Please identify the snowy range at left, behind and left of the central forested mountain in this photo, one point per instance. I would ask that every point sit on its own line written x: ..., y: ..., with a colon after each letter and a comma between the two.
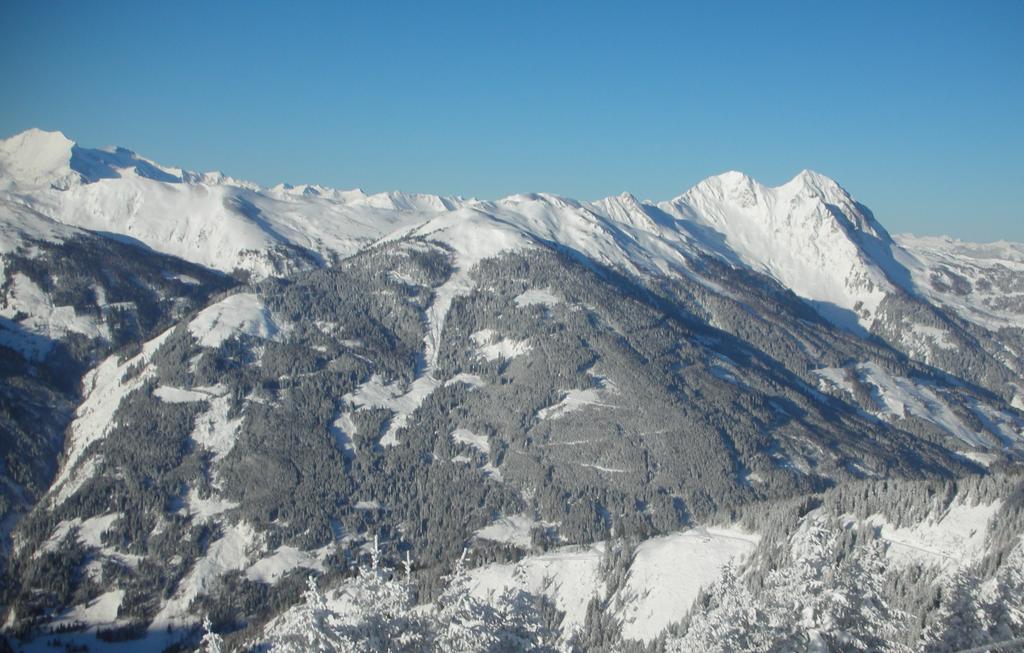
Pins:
x: 206, y: 219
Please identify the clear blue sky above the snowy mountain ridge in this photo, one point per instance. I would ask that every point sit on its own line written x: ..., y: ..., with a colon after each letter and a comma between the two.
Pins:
x: 918, y: 109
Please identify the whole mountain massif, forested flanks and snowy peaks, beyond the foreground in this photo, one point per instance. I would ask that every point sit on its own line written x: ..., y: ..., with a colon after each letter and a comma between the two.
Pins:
x: 251, y: 385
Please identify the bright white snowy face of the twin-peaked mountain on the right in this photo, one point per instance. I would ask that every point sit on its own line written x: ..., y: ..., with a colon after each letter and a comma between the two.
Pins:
x: 809, y: 235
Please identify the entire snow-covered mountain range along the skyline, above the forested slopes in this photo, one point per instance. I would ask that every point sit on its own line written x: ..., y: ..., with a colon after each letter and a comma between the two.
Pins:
x: 809, y: 236
